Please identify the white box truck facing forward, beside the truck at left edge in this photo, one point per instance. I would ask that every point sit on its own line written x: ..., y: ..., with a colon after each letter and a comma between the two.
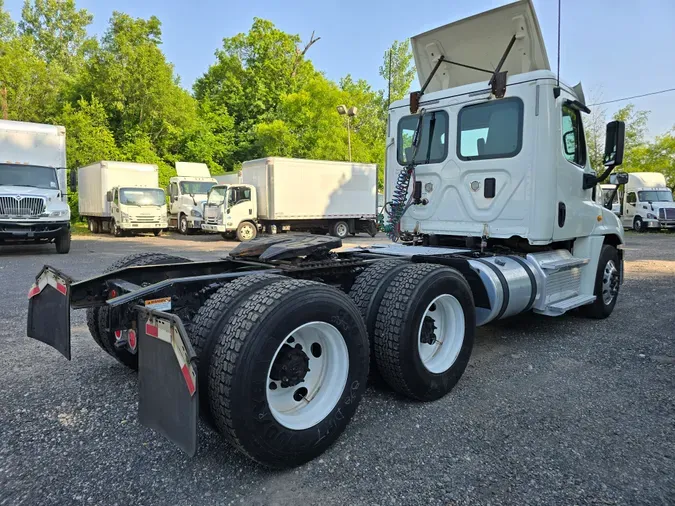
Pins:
x: 122, y: 198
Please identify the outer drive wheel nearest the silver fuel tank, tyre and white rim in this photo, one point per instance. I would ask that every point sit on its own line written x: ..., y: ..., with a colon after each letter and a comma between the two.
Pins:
x: 424, y: 331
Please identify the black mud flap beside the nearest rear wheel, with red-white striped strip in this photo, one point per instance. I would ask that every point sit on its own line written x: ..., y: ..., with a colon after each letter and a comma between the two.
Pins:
x: 167, y: 379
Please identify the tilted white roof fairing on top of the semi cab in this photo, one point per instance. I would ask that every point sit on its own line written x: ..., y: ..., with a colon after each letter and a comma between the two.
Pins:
x: 480, y: 41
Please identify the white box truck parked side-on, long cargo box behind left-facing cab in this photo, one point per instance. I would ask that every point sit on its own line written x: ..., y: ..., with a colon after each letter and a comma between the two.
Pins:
x: 283, y: 194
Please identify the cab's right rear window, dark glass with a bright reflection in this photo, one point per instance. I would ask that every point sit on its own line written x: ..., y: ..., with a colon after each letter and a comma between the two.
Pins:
x: 490, y: 130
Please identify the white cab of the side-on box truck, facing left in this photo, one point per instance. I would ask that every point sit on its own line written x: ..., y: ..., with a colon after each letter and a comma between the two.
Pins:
x: 230, y: 210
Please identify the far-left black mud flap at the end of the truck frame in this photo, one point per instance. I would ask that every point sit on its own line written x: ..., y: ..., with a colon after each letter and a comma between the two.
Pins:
x: 49, y: 310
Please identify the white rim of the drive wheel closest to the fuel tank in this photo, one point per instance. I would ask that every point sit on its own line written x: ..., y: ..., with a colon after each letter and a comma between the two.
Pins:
x: 441, y: 334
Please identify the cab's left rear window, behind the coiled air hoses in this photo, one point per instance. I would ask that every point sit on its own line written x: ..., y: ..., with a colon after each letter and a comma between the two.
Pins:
x: 433, y: 144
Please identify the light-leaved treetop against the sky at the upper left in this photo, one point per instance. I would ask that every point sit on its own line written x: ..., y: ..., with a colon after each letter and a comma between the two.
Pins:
x: 59, y: 30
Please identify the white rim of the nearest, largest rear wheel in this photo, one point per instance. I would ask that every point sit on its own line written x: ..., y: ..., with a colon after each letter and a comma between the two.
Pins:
x: 304, y: 389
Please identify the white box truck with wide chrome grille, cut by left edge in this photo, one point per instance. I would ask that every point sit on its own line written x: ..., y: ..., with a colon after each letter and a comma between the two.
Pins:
x: 33, y: 193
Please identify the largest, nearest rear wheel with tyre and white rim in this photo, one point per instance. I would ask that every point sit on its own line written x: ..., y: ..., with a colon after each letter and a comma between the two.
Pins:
x: 288, y: 371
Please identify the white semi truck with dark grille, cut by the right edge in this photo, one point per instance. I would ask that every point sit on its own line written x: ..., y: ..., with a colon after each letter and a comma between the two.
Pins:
x: 647, y: 202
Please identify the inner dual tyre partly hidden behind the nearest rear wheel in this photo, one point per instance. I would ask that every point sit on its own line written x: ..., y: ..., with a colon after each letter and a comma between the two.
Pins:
x: 209, y: 321
